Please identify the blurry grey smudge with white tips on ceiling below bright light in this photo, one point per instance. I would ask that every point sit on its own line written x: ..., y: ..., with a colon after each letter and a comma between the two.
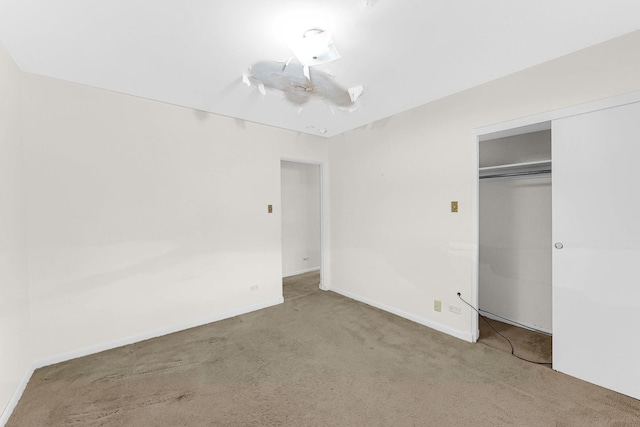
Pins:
x: 300, y: 83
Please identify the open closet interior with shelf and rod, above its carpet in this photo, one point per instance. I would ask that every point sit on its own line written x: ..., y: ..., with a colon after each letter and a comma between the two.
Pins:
x: 515, y: 246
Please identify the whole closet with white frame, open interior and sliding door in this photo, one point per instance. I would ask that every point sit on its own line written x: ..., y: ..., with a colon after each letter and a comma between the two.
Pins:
x: 594, y: 244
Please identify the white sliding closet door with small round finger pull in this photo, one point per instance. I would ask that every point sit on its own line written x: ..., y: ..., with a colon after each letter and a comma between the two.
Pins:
x: 596, y: 273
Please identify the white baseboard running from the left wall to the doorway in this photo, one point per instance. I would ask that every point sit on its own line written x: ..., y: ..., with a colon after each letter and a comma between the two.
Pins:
x: 4, y: 417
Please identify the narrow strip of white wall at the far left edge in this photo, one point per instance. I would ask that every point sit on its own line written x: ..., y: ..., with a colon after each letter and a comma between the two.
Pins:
x: 15, y: 356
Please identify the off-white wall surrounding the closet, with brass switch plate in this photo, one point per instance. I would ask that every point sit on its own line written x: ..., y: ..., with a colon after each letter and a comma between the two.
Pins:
x: 394, y: 241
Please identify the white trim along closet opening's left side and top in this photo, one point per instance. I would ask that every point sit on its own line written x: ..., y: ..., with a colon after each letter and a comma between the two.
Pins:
x: 519, y: 126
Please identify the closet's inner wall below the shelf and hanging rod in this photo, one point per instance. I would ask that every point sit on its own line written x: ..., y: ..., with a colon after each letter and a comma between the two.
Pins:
x: 515, y: 249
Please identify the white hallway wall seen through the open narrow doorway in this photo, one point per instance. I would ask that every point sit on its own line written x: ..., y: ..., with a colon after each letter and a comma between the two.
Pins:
x: 300, y: 218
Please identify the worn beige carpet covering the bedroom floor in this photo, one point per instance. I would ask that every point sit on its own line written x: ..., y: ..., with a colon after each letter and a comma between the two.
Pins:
x: 319, y: 359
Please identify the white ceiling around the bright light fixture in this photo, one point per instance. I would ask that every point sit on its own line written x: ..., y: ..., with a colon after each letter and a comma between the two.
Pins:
x: 404, y: 52
